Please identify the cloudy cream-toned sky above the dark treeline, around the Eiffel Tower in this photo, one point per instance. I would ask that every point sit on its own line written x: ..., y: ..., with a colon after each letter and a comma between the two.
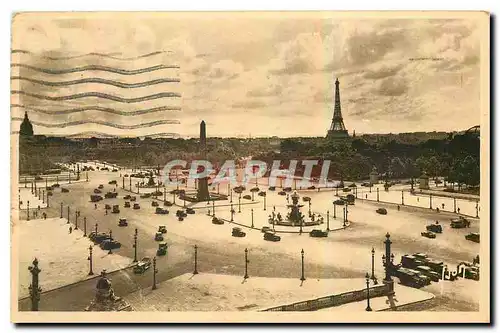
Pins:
x: 253, y: 74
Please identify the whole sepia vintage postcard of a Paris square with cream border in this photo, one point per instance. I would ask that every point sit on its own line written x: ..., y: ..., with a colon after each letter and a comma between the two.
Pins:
x: 250, y: 167
